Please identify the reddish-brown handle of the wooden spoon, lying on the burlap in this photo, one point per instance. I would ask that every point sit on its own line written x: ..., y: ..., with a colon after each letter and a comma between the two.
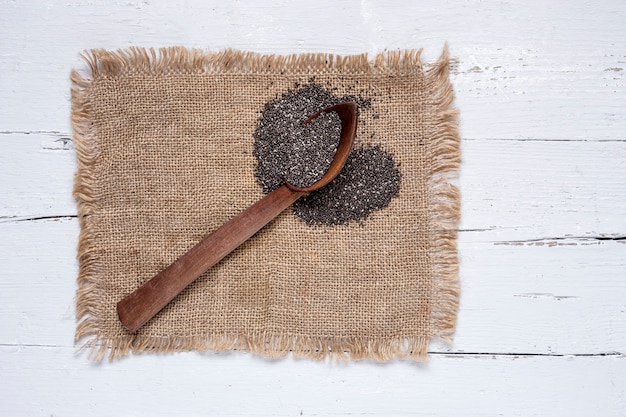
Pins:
x: 145, y: 302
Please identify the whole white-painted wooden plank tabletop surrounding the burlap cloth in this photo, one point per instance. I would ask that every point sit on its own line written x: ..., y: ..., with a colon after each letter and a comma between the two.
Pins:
x: 542, y: 324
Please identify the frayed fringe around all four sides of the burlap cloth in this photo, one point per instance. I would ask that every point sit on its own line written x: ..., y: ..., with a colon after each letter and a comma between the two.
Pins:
x: 443, y: 197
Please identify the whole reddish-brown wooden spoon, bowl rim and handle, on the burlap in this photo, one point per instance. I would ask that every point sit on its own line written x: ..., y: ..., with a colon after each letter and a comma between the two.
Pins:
x: 145, y: 302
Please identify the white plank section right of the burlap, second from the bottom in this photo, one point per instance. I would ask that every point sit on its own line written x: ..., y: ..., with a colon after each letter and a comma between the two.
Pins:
x: 546, y: 296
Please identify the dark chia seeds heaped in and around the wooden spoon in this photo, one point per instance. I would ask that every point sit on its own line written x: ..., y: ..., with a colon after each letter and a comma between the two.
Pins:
x: 288, y: 149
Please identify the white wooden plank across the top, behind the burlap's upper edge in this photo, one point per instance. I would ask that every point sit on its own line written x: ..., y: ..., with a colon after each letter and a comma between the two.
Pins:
x: 526, y: 69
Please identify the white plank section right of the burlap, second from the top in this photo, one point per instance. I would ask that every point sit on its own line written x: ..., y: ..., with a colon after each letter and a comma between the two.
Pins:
x: 528, y: 190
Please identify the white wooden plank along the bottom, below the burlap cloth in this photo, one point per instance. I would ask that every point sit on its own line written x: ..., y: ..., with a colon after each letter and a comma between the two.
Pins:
x: 51, y: 381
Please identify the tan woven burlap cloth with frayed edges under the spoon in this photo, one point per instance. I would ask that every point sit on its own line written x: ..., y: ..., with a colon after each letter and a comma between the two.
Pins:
x: 164, y: 144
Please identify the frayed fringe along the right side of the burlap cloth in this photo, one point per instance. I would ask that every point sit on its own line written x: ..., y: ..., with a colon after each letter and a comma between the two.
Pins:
x: 444, y: 197
